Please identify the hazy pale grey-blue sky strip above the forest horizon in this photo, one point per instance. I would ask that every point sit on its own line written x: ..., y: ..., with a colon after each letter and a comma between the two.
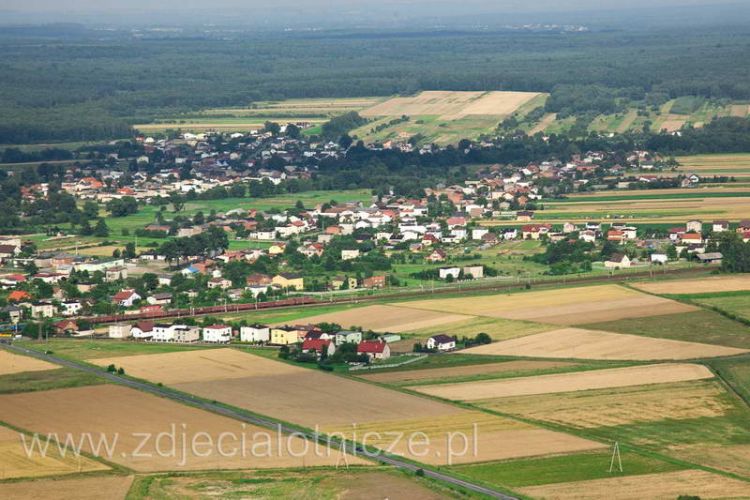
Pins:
x: 331, y: 12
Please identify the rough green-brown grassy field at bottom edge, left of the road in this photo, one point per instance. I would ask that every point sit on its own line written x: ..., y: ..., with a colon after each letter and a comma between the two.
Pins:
x: 324, y: 484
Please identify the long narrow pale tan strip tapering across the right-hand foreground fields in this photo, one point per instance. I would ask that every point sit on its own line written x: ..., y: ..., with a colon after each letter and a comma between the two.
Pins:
x: 567, y: 382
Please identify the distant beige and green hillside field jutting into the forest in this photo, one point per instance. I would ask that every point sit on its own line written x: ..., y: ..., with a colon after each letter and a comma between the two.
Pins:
x: 443, y: 117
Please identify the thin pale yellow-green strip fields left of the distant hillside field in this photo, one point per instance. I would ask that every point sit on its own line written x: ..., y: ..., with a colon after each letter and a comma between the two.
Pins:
x: 310, y: 111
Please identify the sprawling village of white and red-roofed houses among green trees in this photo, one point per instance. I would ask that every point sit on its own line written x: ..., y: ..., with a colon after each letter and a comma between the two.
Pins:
x: 338, y: 247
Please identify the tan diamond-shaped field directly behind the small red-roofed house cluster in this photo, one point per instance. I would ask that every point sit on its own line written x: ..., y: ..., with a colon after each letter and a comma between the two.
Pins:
x: 387, y: 318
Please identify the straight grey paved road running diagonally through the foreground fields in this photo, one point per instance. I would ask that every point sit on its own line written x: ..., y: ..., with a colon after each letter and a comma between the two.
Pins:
x: 350, y: 448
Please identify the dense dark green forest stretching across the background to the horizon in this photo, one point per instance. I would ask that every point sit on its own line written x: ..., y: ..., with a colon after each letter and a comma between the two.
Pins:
x: 82, y: 84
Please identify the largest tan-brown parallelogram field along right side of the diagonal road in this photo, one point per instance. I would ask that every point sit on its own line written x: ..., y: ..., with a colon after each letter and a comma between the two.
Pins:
x: 337, y: 404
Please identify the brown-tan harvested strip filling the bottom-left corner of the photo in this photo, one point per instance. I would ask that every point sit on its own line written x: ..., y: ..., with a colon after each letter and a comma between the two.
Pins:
x: 85, y: 488
